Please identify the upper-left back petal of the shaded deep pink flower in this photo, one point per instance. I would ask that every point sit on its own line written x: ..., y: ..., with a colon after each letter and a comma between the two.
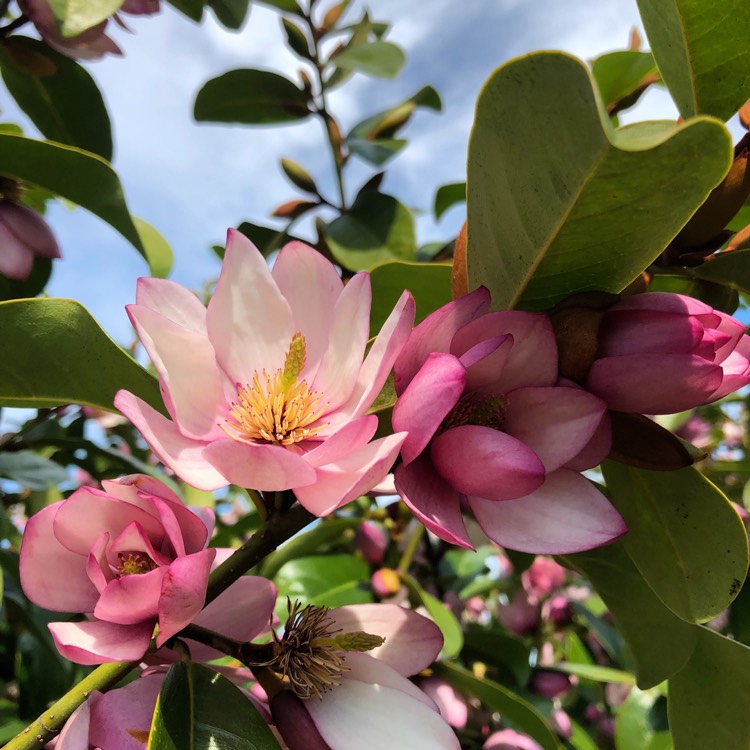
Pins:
x: 435, y: 333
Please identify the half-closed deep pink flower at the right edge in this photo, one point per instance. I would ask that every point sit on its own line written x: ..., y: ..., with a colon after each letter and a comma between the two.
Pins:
x: 661, y: 353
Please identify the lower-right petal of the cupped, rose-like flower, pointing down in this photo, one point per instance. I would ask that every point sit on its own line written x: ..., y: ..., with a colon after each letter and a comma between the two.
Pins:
x: 183, y: 593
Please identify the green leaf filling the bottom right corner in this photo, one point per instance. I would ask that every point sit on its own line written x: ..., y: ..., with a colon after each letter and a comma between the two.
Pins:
x: 708, y: 698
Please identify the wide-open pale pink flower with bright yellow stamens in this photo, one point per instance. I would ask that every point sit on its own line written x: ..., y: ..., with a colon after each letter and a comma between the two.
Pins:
x: 267, y: 388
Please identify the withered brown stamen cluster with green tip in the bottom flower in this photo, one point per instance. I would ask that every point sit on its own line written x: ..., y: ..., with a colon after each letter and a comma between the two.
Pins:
x: 309, y: 652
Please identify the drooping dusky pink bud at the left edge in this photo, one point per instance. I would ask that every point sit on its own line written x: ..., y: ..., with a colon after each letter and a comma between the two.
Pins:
x: 24, y: 234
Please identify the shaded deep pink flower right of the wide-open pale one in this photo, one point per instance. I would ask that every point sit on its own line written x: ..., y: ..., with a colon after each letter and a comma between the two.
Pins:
x: 489, y: 430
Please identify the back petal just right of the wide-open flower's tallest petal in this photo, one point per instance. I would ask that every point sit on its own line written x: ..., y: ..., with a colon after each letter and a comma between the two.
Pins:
x: 311, y: 287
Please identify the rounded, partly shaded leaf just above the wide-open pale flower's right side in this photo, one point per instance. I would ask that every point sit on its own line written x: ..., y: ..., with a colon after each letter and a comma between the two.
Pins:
x: 376, y: 229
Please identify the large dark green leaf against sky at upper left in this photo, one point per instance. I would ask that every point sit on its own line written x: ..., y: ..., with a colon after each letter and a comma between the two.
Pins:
x: 65, y: 105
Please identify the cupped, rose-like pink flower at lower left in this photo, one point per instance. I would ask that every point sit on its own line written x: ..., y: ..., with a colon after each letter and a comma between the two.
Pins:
x: 131, y: 556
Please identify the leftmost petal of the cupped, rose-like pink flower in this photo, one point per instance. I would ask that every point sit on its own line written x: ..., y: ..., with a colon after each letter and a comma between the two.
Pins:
x: 52, y: 576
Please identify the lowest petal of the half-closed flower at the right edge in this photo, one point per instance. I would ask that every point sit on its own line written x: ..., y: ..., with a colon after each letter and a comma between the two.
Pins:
x: 653, y: 383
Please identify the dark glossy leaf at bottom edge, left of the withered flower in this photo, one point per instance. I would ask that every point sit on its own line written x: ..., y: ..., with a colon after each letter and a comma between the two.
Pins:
x: 197, y: 709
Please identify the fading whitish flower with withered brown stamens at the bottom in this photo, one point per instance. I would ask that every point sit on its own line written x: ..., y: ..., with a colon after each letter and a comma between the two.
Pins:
x: 347, y: 674
